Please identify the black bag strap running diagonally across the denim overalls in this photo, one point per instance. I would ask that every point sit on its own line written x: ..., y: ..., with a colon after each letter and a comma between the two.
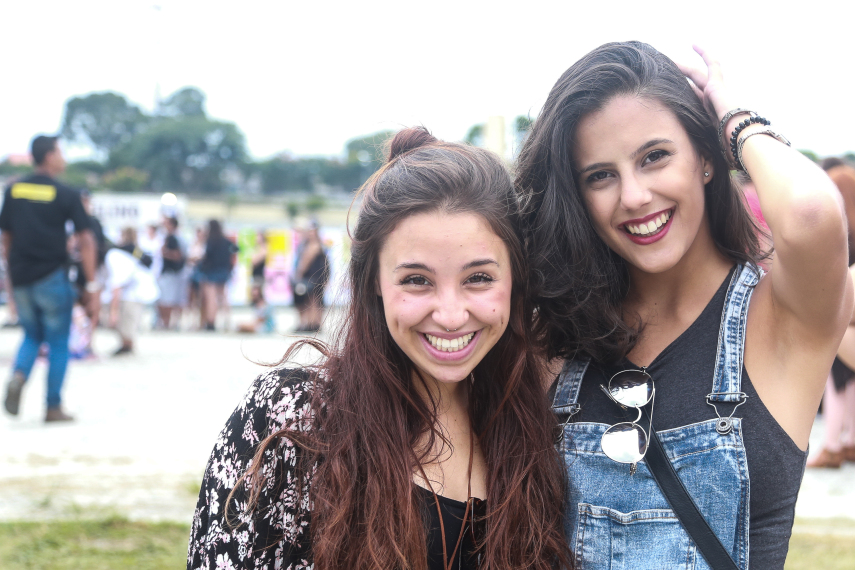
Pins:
x: 685, y: 508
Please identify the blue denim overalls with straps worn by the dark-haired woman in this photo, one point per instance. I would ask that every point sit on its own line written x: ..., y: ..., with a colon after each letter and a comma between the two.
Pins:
x: 618, y: 521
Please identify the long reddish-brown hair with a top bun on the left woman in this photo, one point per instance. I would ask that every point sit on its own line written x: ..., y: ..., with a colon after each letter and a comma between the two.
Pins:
x: 368, y: 417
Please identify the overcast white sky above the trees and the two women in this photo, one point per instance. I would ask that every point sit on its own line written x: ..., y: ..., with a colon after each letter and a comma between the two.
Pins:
x: 306, y: 76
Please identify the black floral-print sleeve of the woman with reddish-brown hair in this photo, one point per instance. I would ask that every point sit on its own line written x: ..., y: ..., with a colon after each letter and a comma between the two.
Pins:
x: 275, y: 536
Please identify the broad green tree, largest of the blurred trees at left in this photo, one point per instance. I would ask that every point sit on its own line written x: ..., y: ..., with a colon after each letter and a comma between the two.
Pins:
x: 184, y: 152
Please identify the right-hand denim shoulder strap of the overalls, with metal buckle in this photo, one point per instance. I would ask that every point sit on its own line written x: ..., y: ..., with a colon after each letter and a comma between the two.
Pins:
x: 727, y: 380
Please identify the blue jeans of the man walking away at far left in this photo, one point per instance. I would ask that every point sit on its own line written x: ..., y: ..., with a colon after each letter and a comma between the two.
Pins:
x: 44, y: 311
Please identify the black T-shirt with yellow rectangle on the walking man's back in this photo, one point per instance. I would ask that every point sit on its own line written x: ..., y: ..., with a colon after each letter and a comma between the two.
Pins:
x: 35, y: 211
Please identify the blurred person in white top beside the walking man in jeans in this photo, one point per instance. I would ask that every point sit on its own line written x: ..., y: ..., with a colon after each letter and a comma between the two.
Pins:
x: 128, y: 287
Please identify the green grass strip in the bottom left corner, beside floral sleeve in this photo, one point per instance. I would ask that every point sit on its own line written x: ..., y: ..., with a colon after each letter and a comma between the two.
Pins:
x: 104, y: 544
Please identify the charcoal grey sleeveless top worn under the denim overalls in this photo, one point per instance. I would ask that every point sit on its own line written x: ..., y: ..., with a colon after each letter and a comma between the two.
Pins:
x: 683, y: 374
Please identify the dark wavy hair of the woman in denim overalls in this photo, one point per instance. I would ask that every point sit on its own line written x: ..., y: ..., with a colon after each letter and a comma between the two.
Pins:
x: 578, y: 281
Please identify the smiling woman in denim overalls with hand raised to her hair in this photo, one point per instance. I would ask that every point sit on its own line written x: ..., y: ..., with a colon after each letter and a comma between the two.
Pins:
x: 645, y: 268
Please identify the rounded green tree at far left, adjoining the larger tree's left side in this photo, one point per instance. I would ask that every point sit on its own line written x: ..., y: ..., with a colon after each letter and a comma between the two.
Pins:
x: 102, y: 120
